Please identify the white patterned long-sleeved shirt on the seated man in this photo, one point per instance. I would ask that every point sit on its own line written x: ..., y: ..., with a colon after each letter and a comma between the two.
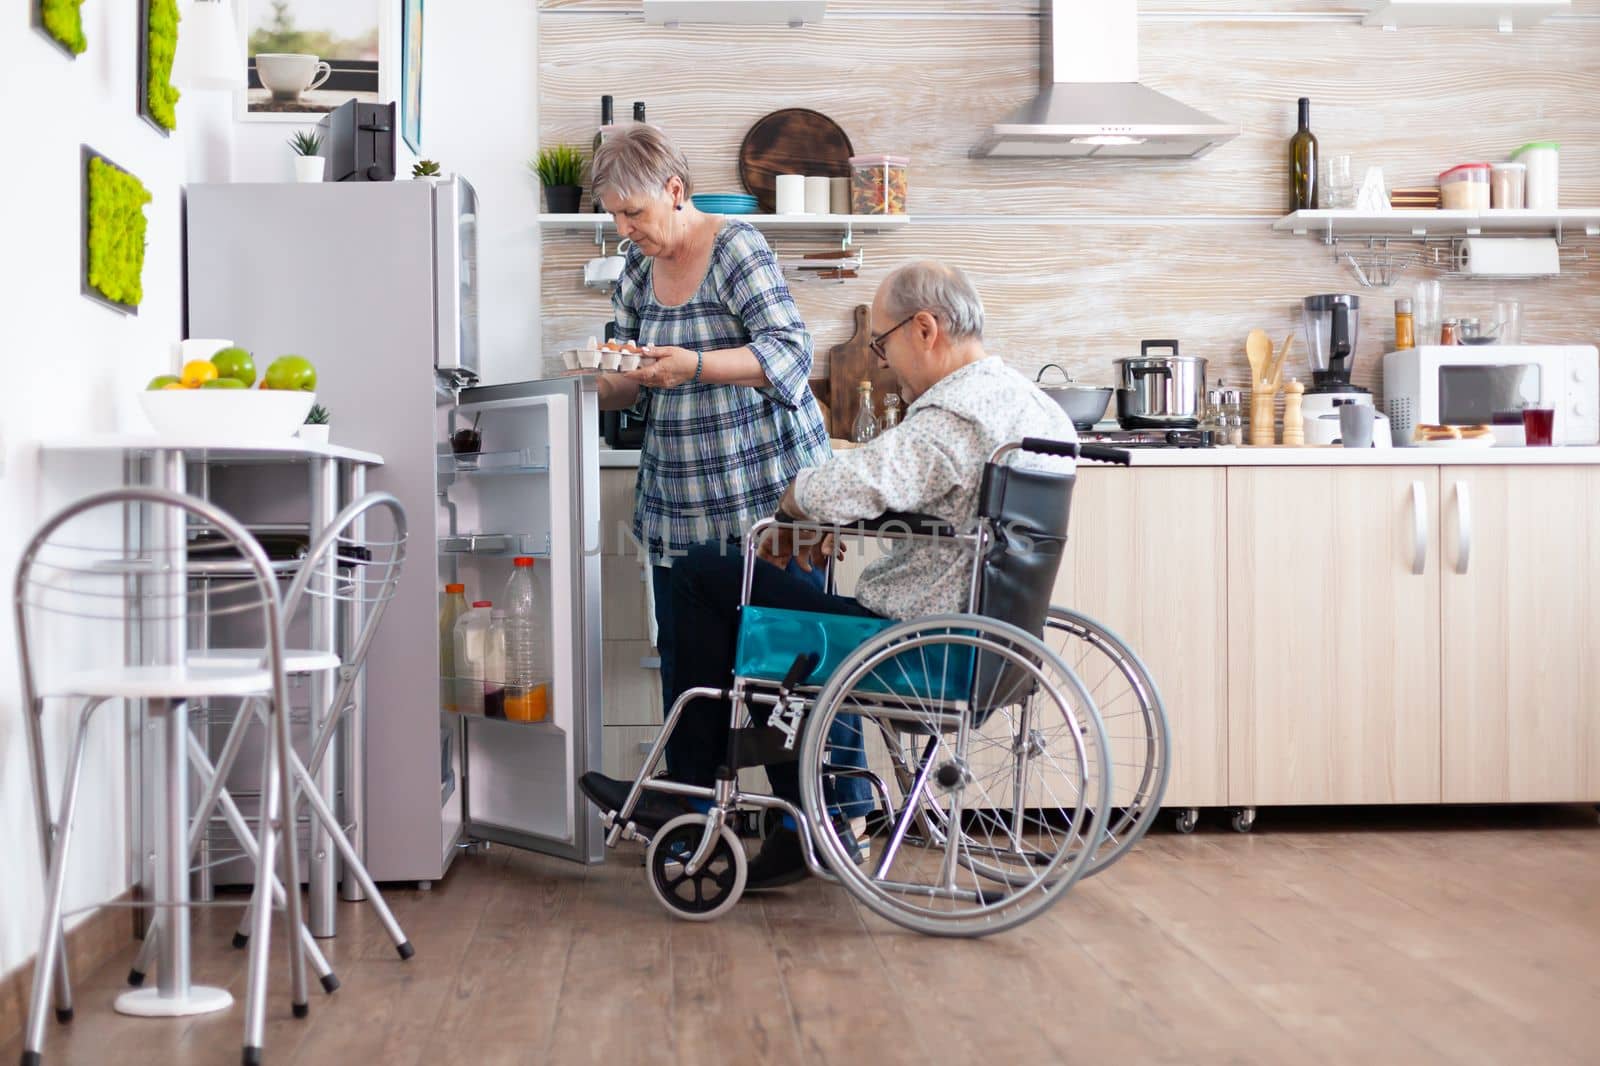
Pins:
x: 934, y: 463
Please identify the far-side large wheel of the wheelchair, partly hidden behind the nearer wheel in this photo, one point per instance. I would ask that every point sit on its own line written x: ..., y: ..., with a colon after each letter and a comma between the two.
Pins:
x: 1130, y: 707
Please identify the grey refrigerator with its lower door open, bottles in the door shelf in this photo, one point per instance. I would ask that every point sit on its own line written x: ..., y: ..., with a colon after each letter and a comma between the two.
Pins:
x: 377, y: 284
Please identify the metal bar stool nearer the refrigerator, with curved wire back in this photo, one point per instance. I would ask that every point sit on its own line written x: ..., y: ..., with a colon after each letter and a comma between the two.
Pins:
x: 354, y: 566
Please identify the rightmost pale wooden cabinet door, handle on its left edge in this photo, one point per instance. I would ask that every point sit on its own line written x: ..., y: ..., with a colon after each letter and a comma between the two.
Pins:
x: 1521, y: 614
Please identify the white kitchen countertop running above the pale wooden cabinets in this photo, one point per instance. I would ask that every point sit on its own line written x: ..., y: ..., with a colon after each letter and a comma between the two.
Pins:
x: 1308, y: 457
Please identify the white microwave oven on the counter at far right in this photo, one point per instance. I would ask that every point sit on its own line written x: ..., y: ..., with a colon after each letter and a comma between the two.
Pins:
x: 1489, y: 385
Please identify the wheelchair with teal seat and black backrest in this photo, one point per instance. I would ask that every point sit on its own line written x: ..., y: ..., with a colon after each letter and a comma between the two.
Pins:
x: 1007, y: 751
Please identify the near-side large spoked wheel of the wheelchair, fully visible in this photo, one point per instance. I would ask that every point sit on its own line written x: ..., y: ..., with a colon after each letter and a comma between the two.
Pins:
x: 1002, y: 735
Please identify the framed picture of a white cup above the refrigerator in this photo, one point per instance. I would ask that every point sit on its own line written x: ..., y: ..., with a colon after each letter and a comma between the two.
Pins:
x: 303, y: 58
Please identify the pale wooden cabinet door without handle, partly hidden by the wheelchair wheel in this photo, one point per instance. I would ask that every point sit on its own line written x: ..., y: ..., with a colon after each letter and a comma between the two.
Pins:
x: 1146, y: 558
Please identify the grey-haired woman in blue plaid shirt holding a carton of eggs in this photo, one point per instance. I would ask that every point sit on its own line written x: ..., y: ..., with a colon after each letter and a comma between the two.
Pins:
x: 729, y: 415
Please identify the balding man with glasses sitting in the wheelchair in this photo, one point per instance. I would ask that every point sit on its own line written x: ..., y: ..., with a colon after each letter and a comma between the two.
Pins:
x: 962, y: 404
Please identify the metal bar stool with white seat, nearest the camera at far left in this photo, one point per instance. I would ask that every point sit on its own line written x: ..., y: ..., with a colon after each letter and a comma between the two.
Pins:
x: 111, y: 572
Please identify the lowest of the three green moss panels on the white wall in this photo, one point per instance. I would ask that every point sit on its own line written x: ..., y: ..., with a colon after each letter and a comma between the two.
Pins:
x: 113, y: 233
